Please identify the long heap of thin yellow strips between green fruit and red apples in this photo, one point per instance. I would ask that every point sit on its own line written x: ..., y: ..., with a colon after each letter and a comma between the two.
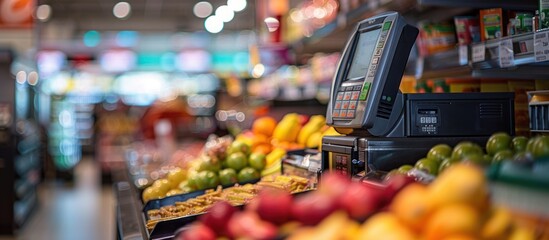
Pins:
x: 237, y: 195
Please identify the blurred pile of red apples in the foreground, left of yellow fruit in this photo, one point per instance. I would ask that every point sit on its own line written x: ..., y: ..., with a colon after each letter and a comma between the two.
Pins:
x: 275, y: 213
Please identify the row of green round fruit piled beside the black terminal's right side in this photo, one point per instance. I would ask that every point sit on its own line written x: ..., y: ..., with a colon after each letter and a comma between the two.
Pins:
x: 499, y: 147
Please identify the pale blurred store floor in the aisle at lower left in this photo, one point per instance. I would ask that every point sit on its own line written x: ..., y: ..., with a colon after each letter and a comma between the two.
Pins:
x: 83, y: 210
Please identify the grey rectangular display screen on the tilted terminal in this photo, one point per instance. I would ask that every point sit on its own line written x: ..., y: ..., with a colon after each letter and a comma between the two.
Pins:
x: 363, y: 54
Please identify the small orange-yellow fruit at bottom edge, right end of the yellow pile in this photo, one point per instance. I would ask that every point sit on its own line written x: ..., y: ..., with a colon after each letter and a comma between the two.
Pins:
x: 498, y: 224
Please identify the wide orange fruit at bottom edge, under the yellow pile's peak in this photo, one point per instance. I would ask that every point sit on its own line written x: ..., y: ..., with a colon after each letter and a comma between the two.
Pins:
x: 450, y: 220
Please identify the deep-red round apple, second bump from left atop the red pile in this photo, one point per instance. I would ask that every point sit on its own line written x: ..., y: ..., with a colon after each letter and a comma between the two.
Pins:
x: 274, y: 205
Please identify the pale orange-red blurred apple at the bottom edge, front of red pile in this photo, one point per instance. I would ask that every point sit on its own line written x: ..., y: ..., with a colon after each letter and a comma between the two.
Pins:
x: 248, y: 225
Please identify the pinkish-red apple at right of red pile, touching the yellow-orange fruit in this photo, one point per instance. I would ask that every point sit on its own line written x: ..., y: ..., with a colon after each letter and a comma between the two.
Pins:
x: 360, y: 200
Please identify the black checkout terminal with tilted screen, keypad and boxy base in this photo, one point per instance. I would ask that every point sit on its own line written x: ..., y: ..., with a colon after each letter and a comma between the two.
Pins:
x: 384, y: 128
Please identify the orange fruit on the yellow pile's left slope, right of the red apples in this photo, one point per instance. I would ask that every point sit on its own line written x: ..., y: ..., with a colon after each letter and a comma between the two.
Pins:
x: 410, y: 207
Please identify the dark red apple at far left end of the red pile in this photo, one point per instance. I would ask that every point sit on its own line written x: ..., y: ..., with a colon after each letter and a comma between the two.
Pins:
x: 218, y: 216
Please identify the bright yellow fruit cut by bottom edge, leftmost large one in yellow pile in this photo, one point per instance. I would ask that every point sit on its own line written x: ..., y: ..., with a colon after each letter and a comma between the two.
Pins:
x: 385, y: 226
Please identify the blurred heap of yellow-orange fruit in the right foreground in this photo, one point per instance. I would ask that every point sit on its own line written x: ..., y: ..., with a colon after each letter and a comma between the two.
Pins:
x: 455, y: 206
